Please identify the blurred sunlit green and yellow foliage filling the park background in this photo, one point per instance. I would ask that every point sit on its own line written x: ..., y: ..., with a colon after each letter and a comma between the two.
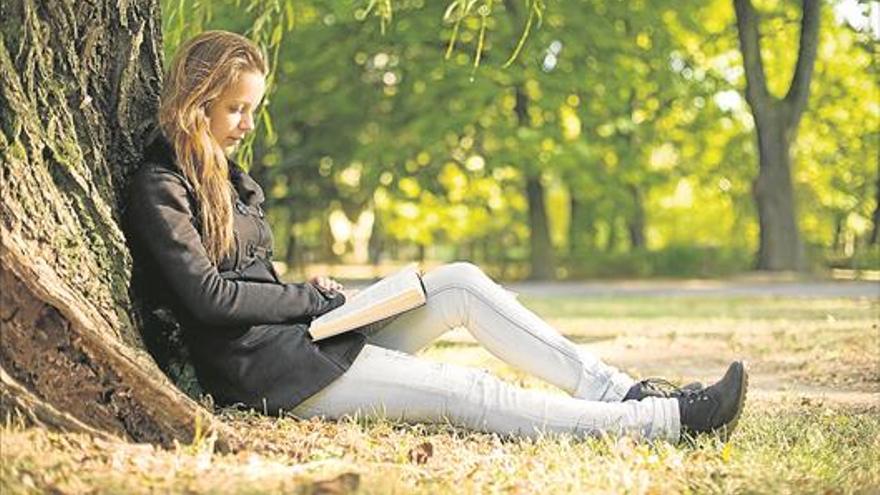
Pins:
x: 406, y: 129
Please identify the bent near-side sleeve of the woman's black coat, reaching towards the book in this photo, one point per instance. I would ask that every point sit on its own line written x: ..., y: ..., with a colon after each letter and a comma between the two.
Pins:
x: 161, y: 217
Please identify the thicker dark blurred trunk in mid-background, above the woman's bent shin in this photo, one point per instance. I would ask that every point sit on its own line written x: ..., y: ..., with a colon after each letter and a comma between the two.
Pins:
x: 541, y: 259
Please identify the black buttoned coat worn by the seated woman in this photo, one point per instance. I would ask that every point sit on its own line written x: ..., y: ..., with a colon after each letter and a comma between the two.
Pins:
x: 245, y: 329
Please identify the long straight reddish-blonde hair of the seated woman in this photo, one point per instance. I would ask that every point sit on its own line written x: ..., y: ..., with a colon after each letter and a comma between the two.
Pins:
x: 202, y: 69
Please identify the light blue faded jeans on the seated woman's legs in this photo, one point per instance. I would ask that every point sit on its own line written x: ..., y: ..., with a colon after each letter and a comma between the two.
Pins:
x: 388, y: 380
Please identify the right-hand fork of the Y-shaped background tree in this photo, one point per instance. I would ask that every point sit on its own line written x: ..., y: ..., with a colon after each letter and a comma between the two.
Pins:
x: 796, y: 99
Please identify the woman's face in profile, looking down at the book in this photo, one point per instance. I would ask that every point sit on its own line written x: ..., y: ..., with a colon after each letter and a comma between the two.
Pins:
x: 231, y: 115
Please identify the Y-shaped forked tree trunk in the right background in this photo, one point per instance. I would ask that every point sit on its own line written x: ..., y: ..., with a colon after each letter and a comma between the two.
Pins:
x: 776, y: 122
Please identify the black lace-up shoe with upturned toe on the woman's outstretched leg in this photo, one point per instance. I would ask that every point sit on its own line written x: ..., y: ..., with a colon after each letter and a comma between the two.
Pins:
x: 715, y: 408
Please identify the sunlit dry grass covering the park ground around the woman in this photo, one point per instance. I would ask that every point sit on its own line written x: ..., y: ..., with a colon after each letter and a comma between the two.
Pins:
x: 812, y: 422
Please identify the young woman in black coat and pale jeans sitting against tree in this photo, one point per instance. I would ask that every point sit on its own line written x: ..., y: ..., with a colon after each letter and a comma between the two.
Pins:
x: 197, y: 225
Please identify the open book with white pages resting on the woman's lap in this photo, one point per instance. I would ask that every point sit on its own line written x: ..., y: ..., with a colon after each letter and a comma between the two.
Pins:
x: 394, y: 294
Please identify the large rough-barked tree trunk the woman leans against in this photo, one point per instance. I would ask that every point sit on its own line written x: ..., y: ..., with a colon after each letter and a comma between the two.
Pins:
x: 79, y: 83
